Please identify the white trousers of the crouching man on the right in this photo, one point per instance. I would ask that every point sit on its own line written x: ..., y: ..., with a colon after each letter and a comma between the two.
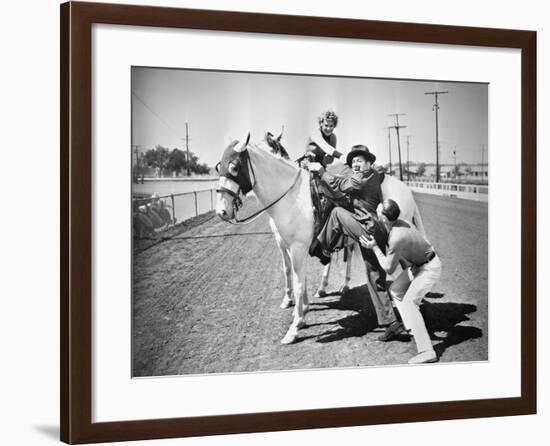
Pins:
x: 408, y: 290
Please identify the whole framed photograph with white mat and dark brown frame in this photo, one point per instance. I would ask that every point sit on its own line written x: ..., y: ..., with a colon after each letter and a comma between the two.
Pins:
x: 279, y: 222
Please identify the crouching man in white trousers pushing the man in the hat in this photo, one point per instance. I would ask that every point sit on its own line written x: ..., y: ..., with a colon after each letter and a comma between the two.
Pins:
x: 407, y: 244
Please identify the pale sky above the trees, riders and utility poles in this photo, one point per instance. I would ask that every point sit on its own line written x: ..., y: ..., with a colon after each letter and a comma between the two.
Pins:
x: 219, y: 107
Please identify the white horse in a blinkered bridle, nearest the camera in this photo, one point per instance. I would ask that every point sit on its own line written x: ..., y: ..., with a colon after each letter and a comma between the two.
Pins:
x: 283, y: 191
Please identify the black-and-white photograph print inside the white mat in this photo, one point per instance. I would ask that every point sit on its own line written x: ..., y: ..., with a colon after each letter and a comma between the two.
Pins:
x: 298, y: 222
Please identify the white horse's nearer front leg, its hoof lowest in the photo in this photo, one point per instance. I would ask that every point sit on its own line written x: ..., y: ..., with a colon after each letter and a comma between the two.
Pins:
x: 298, y: 256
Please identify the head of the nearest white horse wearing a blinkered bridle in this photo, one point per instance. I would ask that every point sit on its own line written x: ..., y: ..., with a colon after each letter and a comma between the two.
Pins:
x: 234, y: 170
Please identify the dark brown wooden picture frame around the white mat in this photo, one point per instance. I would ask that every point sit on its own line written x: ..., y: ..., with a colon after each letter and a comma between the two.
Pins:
x: 76, y: 221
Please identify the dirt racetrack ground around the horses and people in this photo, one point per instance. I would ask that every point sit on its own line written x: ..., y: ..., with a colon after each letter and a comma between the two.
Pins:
x: 207, y: 301
